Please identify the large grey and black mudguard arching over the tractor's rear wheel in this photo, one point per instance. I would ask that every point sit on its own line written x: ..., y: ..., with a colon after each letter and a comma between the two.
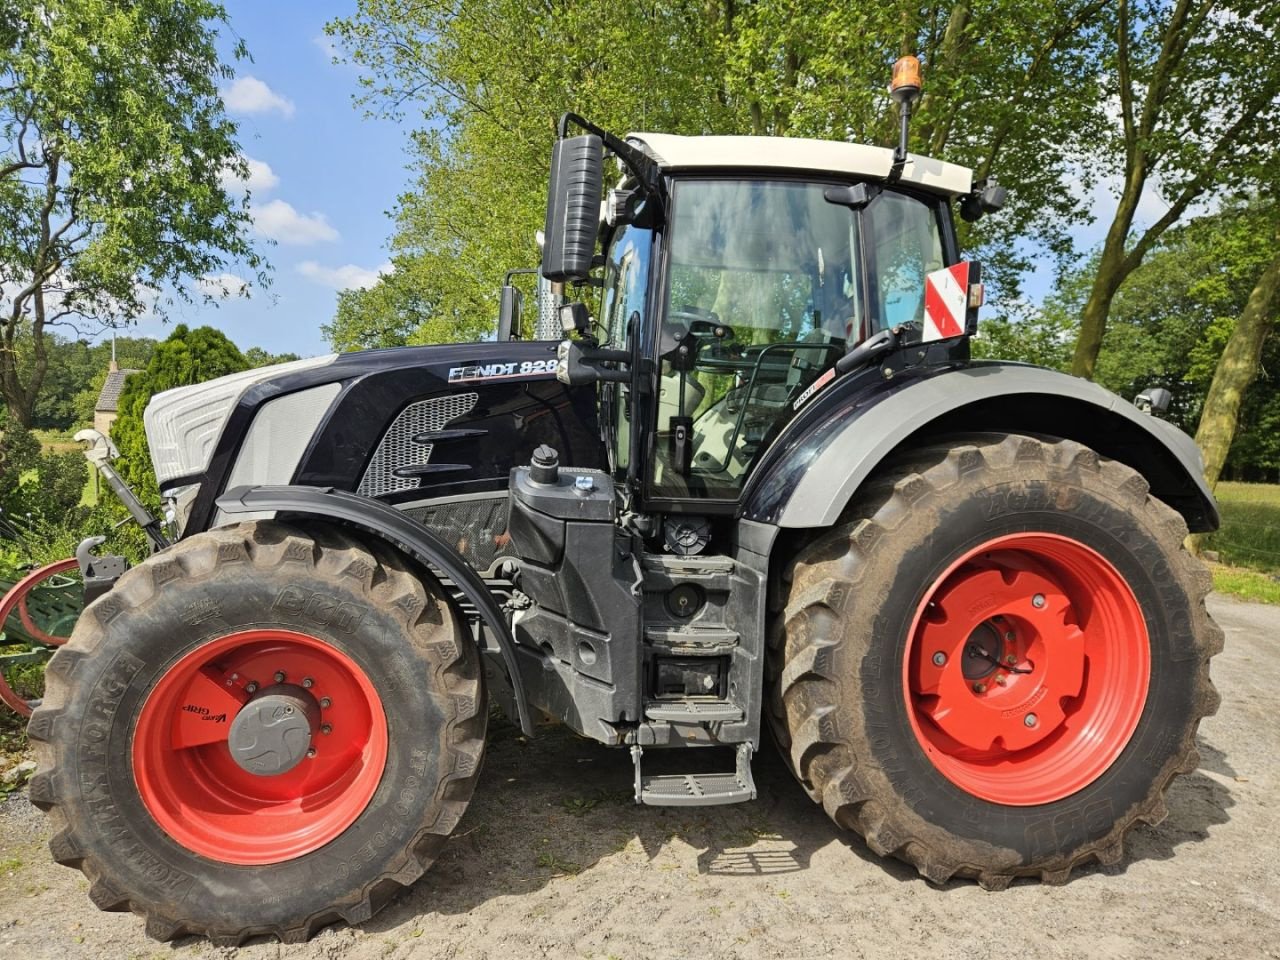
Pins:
x: 829, y: 451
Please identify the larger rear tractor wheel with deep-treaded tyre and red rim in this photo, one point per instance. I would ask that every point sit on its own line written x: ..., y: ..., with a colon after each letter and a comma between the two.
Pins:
x: 999, y: 665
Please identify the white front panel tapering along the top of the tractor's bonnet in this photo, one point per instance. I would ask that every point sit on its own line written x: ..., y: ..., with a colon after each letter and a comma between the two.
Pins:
x: 184, y: 424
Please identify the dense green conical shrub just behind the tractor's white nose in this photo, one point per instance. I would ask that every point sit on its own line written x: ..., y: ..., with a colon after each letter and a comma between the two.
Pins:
x: 185, y: 358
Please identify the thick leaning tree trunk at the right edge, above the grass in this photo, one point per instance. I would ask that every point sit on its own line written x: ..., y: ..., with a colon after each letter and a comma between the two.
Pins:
x: 1236, y: 372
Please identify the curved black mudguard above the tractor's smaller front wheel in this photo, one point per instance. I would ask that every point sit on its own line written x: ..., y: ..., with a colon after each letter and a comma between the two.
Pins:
x: 403, y: 533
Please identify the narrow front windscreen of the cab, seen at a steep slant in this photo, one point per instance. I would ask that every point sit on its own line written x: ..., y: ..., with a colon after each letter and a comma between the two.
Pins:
x: 627, y: 280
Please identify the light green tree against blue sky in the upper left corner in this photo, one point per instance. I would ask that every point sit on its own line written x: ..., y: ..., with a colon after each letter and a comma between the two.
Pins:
x: 113, y: 147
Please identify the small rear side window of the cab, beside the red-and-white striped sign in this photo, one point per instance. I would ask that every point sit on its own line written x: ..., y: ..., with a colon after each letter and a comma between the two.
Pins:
x: 906, y: 245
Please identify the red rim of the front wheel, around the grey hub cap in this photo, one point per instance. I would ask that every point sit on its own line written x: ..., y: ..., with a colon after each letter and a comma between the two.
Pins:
x: 205, y: 801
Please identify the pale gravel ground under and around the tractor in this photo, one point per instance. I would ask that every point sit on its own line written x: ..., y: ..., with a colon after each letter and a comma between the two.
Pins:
x: 554, y: 861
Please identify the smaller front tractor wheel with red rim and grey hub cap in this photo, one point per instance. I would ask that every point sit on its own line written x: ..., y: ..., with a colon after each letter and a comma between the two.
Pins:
x: 259, y: 732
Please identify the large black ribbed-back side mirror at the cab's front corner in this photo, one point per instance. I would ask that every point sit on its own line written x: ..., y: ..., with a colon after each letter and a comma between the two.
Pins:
x: 573, y: 208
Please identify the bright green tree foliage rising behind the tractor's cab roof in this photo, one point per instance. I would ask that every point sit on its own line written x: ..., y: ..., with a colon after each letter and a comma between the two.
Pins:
x: 1011, y: 89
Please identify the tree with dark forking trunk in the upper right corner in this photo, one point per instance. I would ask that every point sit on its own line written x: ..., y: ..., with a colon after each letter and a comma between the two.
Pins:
x: 1197, y: 89
